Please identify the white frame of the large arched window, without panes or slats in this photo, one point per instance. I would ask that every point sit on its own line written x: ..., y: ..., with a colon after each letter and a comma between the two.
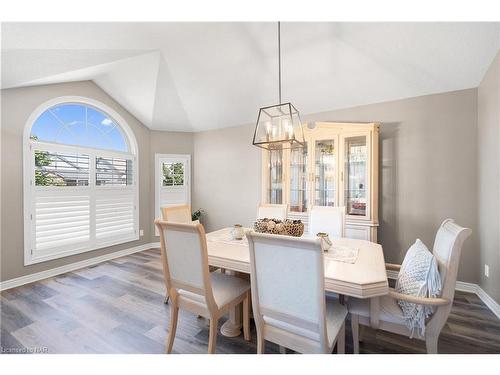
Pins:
x: 29, y: 147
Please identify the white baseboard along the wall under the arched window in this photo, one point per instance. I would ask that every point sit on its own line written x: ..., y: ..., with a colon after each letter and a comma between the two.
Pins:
x: 18, y: 281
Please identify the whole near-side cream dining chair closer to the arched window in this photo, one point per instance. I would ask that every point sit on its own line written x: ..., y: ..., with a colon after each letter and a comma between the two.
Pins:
x: 191, y: 286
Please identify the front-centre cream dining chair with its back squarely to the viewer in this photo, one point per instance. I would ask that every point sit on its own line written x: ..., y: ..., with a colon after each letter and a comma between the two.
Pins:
x: 288, y: 295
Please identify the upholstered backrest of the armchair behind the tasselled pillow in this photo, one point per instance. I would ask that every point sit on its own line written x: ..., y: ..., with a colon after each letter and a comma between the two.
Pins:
x: 447, y: 250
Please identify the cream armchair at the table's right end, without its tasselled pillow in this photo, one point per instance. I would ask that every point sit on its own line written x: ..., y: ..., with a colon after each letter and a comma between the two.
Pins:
x: 447, y: 249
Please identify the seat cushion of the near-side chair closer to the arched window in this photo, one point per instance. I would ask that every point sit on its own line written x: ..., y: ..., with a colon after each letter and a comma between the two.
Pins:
x: 225, y: 288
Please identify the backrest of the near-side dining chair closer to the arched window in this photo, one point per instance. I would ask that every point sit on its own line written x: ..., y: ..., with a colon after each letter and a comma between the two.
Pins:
x: 185, y: 258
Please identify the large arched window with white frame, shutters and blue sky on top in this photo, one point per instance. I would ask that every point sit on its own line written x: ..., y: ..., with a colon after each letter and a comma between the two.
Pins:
x: 80, y: 179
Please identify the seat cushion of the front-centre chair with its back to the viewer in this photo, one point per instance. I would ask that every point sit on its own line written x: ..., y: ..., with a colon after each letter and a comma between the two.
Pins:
x: 335, y: 317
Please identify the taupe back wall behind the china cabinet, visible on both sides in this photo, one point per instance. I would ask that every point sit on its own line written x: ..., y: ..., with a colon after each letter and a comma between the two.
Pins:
x: 428, y: 173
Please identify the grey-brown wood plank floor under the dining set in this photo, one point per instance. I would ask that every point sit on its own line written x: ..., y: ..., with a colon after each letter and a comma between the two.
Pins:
x: 117, y: 307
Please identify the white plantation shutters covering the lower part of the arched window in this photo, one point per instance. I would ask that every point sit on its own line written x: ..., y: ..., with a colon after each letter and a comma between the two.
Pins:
x: 81, y: 200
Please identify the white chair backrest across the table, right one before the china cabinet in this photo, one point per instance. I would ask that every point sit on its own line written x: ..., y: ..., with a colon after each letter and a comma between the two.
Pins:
x: 327, y: 219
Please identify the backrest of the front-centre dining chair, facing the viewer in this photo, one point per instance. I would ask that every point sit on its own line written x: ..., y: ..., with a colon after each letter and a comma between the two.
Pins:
x: 292, y: 296
